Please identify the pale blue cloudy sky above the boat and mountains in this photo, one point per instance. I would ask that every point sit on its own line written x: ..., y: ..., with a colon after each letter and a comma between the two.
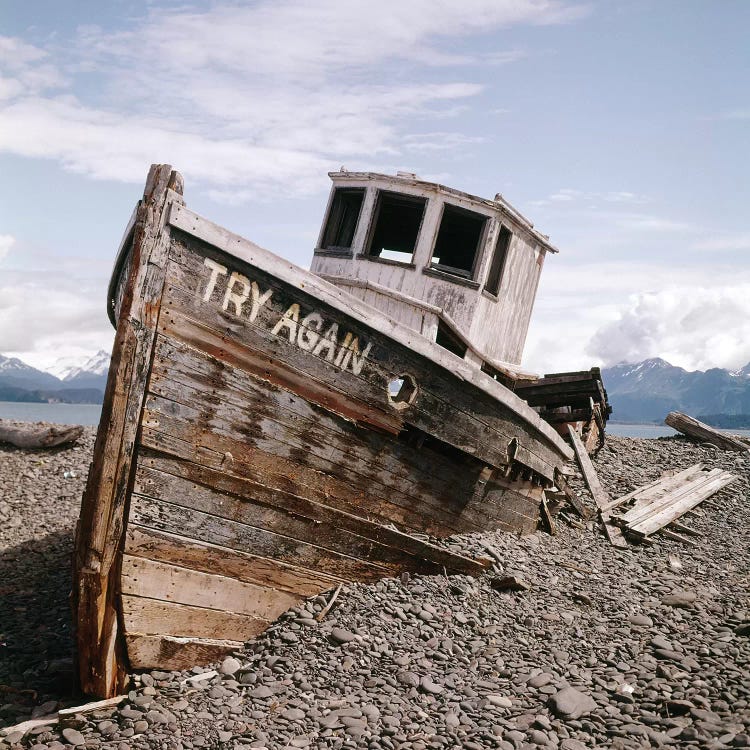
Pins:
x: 621, y: 128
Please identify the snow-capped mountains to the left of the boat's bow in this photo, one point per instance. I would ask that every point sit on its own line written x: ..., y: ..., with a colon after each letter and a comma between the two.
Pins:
x: 69, y: 380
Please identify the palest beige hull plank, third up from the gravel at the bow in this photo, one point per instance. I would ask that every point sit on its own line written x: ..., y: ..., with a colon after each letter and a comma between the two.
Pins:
x: 172, y: 583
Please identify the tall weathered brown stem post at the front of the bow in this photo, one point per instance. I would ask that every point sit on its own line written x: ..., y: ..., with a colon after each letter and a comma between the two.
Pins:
x: 101, y: 657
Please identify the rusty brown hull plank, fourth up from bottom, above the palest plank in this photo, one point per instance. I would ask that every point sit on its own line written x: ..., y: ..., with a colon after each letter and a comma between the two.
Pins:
x: 212, y: 558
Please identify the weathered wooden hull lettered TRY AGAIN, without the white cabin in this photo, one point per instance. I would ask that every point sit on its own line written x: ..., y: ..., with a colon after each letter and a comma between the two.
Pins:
x: 264, y: 437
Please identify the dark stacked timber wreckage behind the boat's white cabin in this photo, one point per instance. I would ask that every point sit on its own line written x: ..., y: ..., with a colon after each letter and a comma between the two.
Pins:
x: 570, y: 398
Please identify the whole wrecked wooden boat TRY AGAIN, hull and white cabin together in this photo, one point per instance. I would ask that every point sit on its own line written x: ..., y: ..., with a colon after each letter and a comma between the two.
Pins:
x: 270, y: 432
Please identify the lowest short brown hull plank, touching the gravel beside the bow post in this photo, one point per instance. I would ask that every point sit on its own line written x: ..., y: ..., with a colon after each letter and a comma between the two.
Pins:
x: 168, y: 652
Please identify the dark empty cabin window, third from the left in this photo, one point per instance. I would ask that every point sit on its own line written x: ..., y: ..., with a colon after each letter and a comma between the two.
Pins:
x: 458, y: 241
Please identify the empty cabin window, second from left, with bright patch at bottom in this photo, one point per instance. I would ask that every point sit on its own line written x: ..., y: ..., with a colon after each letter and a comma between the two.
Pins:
x: 395, y: 227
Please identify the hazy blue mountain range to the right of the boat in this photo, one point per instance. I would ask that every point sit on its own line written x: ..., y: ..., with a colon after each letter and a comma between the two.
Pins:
x: 647, y: 391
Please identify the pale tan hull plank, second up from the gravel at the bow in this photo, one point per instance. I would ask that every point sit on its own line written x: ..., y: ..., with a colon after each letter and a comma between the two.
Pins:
x: 155, y: 617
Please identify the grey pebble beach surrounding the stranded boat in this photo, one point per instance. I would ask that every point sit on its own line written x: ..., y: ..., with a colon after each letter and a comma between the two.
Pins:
x: 597, y: 647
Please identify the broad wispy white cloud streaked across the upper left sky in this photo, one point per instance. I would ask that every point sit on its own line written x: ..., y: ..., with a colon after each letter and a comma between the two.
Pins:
x: 263, y: 97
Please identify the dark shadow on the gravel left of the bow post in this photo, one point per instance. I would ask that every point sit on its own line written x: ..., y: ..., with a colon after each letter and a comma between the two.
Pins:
x: 36, y: 645
